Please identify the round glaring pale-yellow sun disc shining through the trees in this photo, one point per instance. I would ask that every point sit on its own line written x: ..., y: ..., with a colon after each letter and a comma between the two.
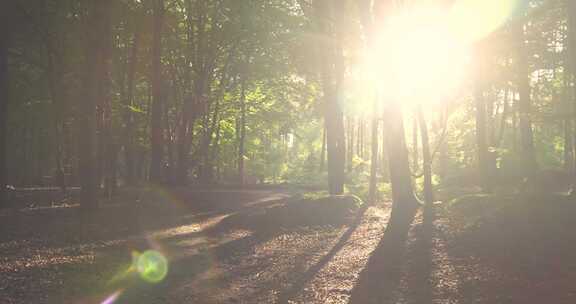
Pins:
x: 418, y: 58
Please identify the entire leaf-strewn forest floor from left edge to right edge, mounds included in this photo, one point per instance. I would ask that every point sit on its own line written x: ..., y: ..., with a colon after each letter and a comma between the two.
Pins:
x: 234, y: 246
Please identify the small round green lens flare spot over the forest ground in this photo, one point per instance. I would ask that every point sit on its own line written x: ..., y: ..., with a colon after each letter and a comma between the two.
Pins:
x: 151, y: 265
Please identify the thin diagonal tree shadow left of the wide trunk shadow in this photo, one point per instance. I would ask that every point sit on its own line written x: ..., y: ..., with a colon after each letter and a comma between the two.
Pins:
x: 297, y: 286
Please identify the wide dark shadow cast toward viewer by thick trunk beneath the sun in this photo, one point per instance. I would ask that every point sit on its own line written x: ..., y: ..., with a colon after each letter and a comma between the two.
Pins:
x: 380, y: 278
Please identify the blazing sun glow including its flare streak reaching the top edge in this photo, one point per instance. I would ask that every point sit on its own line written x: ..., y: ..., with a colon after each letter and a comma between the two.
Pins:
x: 422, y: 55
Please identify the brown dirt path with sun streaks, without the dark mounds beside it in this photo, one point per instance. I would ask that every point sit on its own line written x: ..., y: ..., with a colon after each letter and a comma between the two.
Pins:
x: 46, y: 258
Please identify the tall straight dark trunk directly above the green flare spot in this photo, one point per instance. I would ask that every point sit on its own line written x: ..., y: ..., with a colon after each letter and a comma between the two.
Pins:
x: 156, y: 133
